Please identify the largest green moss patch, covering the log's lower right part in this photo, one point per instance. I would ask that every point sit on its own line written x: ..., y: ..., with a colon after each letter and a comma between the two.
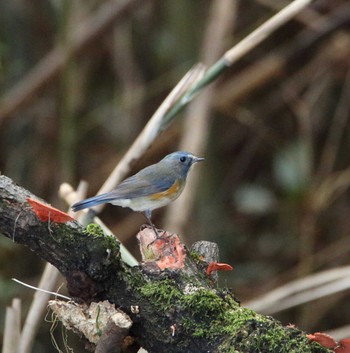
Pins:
x: 247, y: 331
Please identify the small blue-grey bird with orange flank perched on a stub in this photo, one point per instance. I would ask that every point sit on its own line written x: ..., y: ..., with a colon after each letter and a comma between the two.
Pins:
x: 152, y: 187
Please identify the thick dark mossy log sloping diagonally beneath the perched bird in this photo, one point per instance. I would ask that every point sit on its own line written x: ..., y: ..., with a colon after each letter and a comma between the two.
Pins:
x: 178, y: 310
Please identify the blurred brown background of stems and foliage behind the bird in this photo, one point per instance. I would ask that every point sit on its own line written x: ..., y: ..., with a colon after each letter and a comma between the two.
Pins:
x: 273, y: 192
